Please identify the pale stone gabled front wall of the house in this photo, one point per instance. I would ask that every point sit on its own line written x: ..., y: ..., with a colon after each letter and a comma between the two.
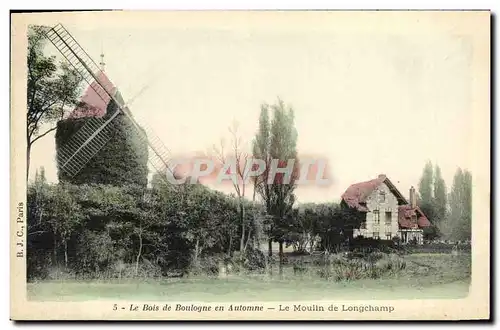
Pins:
x: 373, y: 202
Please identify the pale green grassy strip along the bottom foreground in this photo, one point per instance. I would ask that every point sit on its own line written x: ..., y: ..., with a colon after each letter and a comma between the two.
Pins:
x: 428, y: 276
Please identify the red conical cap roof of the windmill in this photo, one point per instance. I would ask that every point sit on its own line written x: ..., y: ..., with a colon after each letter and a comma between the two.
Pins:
x: 91, y: 104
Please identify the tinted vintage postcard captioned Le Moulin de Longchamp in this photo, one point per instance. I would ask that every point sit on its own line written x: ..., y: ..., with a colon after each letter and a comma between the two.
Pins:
x: 250, y: 165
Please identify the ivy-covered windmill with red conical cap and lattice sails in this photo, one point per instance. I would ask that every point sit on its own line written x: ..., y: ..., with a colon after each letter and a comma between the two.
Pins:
x: 87, y: 146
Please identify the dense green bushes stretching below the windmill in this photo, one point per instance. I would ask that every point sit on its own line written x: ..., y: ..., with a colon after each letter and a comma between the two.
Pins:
x: 102, y: 231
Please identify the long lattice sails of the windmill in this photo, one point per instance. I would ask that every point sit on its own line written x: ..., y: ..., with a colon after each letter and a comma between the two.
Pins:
x: 96, y: 132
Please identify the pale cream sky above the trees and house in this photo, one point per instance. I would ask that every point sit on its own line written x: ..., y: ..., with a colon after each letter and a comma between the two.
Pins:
x: 369, y: 99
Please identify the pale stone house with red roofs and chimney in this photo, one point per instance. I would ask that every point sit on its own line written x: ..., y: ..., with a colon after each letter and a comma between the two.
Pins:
x: 388, y: 213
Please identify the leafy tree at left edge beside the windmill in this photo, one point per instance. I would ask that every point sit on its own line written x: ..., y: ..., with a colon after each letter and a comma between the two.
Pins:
x: 52, y: 88
